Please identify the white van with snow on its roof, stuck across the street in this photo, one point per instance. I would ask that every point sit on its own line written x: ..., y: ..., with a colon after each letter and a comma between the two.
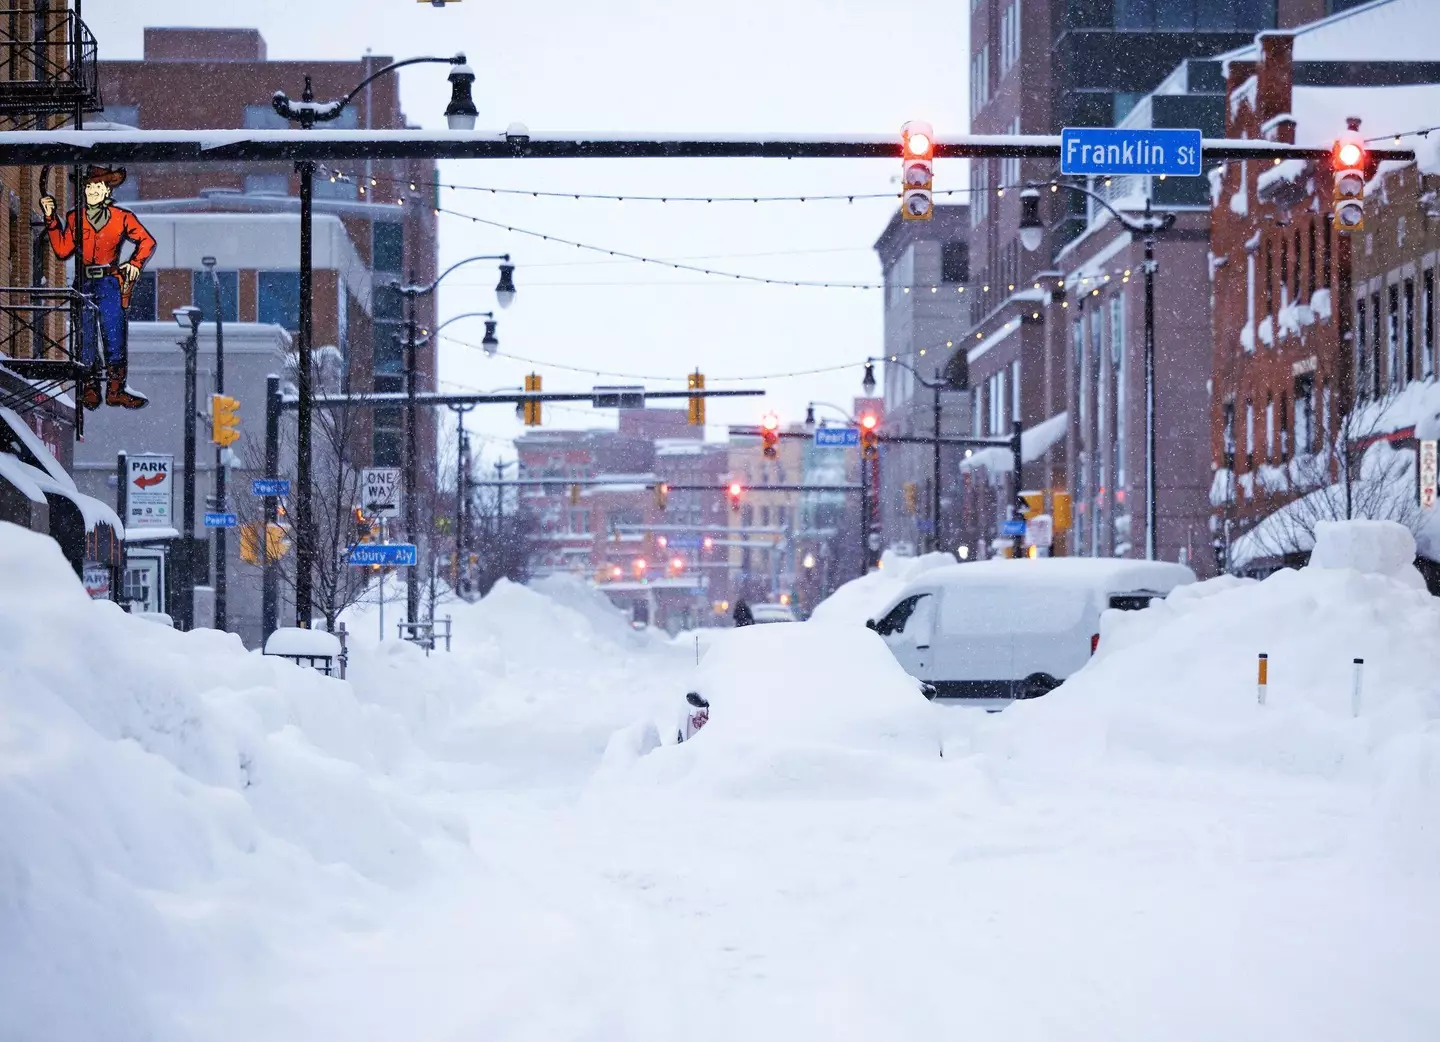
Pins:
x: 1010, y: 630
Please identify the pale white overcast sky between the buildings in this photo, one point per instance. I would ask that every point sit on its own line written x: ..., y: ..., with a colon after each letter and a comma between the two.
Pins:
x: 639, y: 65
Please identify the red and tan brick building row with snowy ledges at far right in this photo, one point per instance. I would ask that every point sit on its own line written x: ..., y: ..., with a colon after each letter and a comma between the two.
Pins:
x: 1304, y: 373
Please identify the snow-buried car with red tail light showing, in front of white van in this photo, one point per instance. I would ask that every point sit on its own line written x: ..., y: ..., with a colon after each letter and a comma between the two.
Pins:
x: 813, y: 684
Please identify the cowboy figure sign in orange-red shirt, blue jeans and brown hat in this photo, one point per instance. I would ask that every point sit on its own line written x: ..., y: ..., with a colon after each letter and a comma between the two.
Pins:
x: 106, y: 281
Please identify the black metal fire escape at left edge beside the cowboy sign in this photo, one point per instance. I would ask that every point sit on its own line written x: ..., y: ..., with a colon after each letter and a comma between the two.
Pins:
x: 50, y: 77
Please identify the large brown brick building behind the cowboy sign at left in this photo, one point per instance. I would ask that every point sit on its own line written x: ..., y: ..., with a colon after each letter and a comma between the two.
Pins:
x: 218, y: 78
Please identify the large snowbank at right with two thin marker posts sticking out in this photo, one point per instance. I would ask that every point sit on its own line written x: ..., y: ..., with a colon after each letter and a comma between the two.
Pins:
x: 1177, y: 683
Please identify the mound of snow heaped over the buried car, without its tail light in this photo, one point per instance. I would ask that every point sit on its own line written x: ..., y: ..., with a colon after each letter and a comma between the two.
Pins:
x: 797, y: 707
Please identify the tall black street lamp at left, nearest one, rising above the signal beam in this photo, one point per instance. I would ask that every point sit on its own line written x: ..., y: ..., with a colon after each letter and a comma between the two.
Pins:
x: 460, y: 114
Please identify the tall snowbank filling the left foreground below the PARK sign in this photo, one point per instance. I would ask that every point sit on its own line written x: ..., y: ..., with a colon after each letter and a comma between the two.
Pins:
x: 168, y: 802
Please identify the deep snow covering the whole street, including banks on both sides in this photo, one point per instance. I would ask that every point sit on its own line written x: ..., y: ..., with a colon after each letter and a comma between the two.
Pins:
x: 205, y: 844
